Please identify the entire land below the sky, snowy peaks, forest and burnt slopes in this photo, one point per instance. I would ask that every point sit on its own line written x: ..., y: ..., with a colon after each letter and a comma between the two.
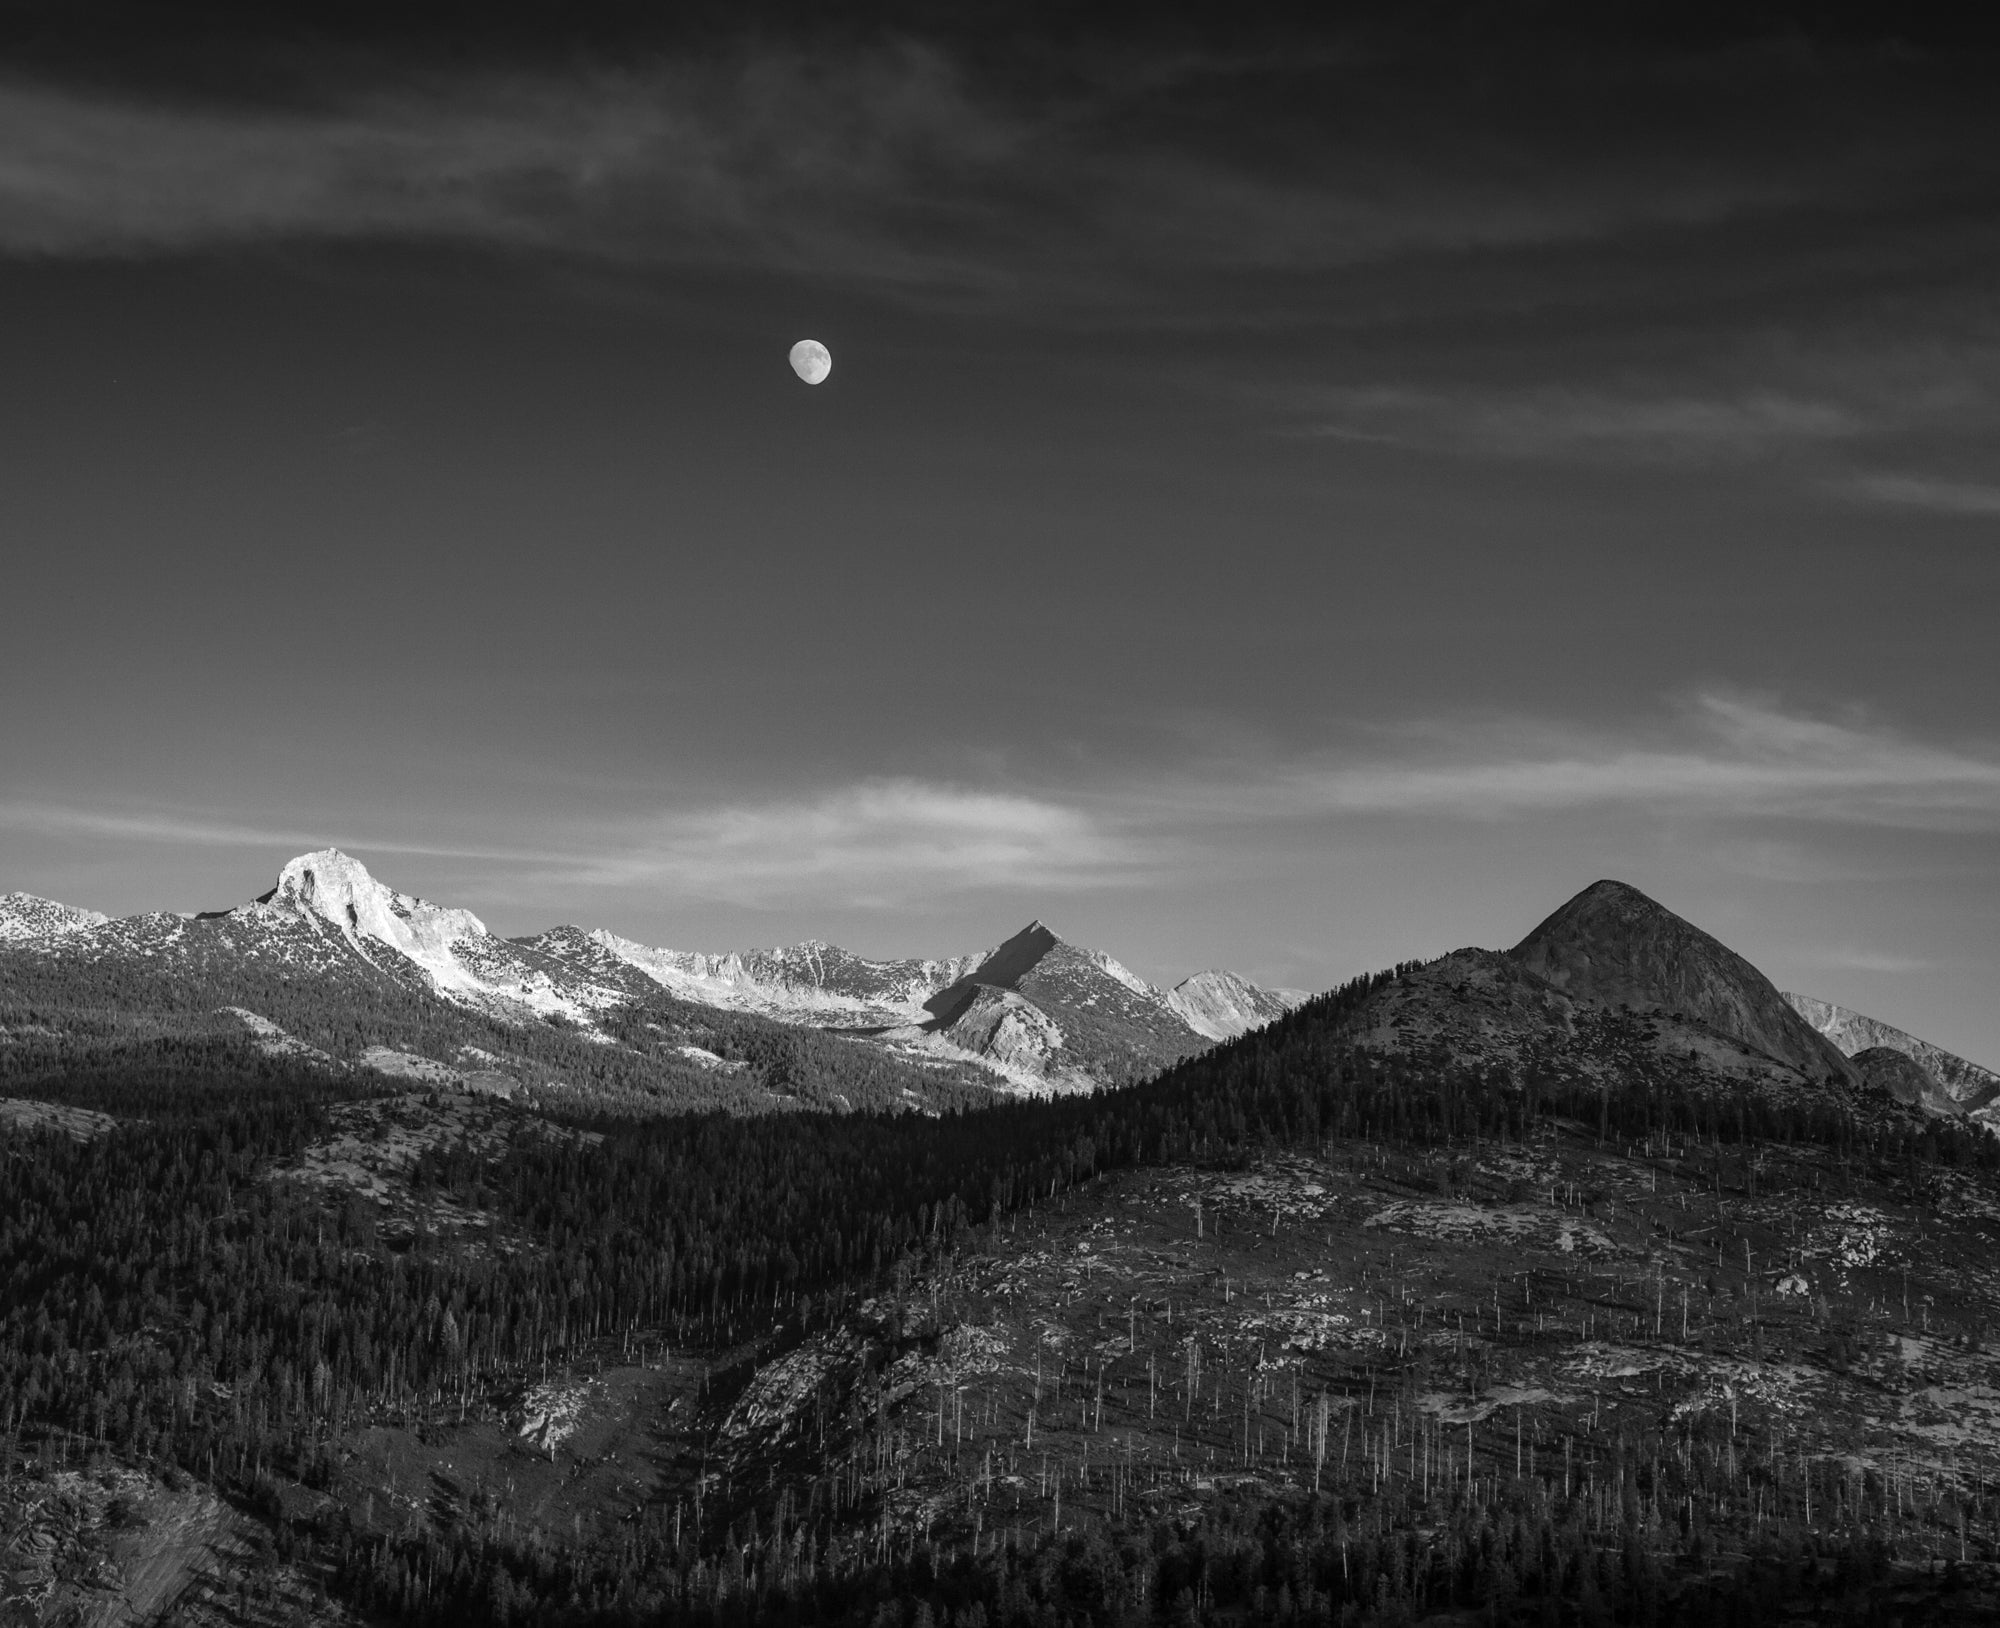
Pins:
x: 367, y: 1267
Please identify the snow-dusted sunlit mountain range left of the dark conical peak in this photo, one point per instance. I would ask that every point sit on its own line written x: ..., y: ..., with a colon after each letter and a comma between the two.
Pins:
x: 1031, y: 1015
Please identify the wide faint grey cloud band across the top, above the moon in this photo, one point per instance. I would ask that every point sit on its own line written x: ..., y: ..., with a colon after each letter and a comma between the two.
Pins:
x: 895, y: 163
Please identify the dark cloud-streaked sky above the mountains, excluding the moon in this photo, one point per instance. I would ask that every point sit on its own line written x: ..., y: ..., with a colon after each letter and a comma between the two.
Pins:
x: 1283, y: 501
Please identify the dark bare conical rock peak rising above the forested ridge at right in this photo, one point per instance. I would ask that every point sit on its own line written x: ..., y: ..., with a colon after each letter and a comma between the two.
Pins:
x: 1621, y: 949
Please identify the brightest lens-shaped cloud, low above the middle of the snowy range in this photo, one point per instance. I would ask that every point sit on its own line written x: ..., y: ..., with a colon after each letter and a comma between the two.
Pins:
x: 873, y: 843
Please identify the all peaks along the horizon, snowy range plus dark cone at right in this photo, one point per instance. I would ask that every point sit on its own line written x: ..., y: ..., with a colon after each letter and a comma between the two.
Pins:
x: 1609, y: 985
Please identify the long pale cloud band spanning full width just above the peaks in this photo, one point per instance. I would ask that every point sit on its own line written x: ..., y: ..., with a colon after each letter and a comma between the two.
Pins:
x: 897, y: 843
